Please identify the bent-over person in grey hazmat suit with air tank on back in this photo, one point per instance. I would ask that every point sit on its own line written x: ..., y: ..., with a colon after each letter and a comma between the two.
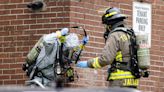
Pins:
x: 47, y: 59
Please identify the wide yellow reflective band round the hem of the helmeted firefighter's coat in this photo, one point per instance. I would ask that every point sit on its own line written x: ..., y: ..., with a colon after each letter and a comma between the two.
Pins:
x: 120, y: 74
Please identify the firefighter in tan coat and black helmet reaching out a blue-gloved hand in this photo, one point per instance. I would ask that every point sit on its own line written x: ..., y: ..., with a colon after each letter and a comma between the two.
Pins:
x: 116, y: 52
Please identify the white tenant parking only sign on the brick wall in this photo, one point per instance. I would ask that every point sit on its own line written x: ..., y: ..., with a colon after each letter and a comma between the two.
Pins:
x: 142, y: 20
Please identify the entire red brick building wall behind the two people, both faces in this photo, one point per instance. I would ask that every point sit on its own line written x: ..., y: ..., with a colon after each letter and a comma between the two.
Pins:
x: 21, y: 28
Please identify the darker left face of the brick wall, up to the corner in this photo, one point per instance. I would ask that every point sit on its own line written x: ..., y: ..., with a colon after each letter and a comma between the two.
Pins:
x: 19, y: 31
